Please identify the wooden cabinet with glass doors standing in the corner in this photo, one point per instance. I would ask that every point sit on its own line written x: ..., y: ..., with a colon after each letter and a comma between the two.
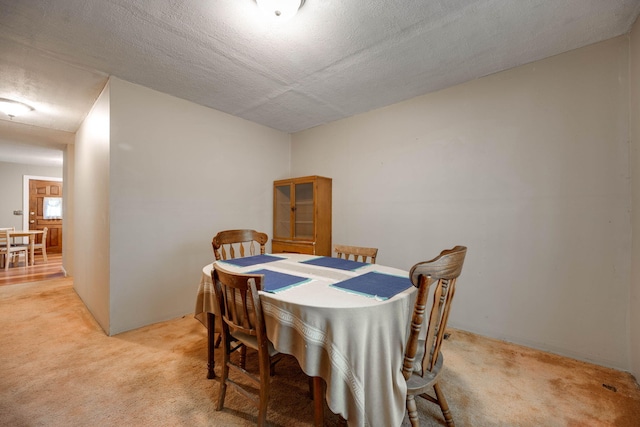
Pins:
x: 302, y: 216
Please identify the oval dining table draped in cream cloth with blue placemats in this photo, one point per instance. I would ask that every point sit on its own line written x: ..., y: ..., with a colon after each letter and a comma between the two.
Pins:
x: 344, y: 321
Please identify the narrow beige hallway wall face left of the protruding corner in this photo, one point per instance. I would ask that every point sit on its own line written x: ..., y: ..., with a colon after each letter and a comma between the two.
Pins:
x: 91, y: 211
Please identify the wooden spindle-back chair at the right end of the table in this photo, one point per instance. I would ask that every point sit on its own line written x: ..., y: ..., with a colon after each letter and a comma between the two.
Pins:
x: 423, y: 360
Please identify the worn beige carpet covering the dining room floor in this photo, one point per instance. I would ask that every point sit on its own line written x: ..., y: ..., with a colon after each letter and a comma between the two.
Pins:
x: 57, y: 368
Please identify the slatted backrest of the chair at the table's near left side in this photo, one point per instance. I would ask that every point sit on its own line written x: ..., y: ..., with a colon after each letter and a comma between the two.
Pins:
x: 239, y: 303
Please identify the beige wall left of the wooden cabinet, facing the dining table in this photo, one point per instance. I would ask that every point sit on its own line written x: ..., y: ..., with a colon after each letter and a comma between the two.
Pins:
x: 178, y: 173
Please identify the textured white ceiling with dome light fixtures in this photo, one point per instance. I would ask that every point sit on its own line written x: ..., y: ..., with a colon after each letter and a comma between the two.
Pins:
x: 335, y: 59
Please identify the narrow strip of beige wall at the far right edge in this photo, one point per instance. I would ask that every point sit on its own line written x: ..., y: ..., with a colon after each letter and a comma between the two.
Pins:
x: 634, y: 121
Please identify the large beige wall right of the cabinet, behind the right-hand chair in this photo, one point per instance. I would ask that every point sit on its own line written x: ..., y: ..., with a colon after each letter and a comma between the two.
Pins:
x: 529, y: 169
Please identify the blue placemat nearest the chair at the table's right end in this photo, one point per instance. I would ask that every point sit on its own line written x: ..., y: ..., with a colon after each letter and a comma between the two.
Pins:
x: 376, y: 285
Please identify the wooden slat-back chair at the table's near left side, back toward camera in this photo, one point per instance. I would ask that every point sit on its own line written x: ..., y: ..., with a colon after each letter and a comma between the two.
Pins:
x: 243, y: 326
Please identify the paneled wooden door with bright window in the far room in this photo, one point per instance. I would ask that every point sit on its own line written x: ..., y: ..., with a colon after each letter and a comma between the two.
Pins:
x: 44, y: 198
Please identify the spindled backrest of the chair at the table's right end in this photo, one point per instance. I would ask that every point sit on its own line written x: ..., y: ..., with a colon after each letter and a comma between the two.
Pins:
x: 443, y: 271
